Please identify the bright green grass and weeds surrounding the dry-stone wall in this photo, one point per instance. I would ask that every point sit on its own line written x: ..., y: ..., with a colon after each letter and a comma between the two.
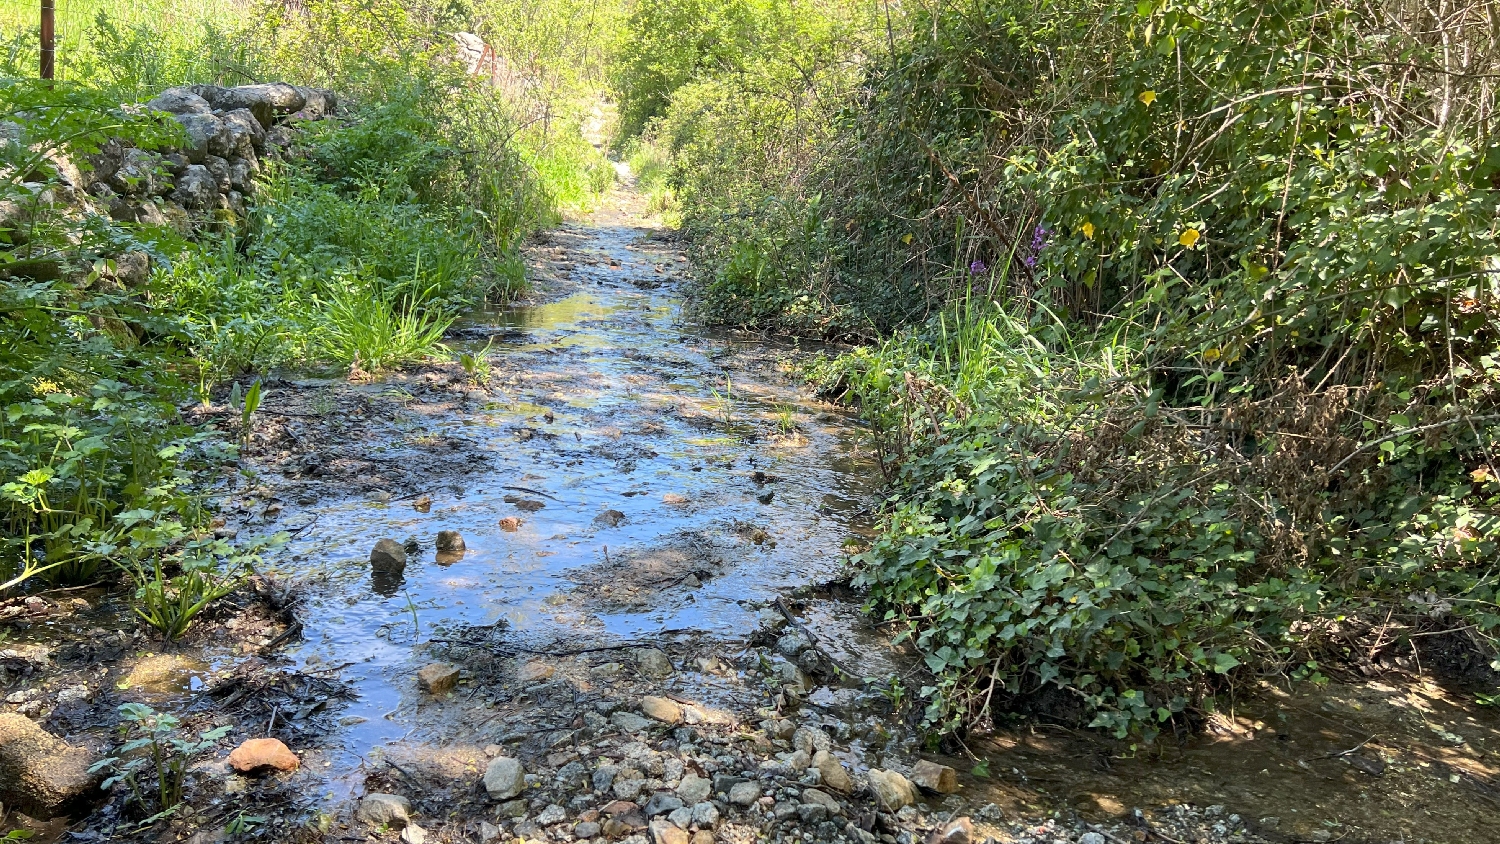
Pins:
x: 356, y: 254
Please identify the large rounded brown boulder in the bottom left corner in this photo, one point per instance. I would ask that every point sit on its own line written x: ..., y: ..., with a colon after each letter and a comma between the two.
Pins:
x: 41, y: 774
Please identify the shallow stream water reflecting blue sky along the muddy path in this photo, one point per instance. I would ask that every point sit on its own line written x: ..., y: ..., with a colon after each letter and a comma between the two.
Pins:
x: 668, y: 455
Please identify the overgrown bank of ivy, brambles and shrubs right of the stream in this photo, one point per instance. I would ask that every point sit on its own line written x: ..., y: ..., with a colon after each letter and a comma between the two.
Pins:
x: 1184, y: 358
